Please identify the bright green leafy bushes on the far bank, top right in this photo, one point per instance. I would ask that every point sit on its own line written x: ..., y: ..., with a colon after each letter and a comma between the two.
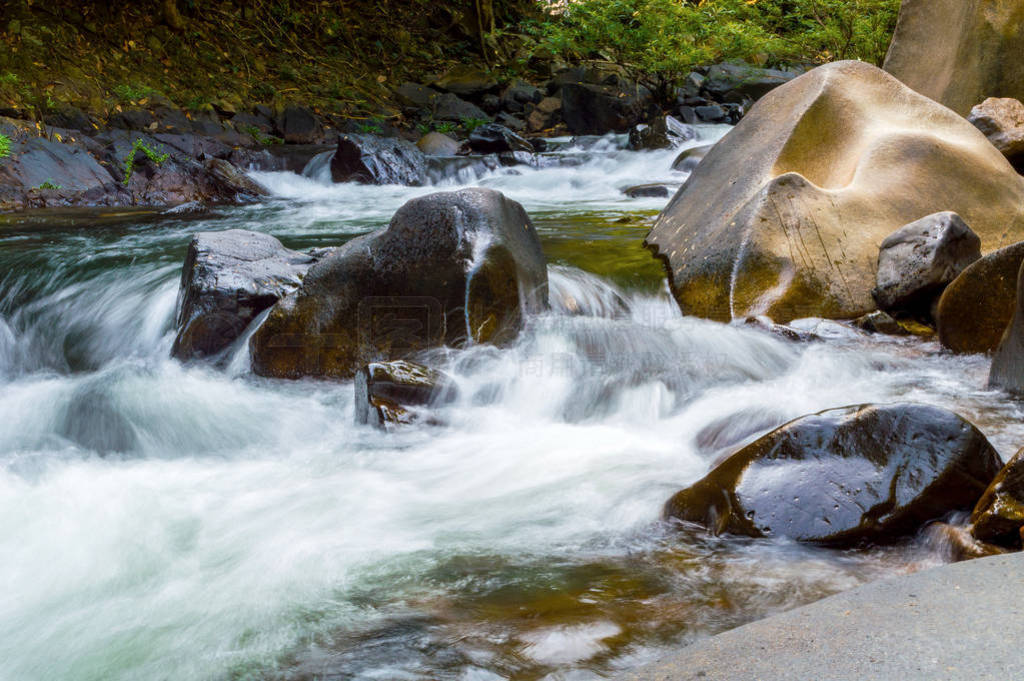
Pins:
x: 667, y: 38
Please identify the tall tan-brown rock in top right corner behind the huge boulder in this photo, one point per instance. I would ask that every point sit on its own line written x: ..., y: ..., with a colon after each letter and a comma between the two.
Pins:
x: 959, y: 53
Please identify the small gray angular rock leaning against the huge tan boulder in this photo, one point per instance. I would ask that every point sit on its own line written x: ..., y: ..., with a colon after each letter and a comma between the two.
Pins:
x: 920, y: 260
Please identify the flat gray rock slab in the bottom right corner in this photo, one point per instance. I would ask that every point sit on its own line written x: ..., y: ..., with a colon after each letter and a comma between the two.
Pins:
x: 964, y: 621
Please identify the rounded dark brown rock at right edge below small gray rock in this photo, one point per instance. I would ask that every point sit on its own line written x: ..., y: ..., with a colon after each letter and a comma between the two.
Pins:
x: 976, y: 309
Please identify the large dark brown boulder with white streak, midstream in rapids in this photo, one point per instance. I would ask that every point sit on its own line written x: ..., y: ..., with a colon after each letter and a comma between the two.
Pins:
x: 451, y: 268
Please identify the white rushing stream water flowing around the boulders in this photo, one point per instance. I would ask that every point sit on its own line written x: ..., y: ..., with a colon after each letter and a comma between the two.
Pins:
x: 185, y: 523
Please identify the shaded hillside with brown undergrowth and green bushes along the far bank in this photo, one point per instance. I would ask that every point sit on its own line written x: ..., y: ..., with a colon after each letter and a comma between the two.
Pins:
x: 346, y: 58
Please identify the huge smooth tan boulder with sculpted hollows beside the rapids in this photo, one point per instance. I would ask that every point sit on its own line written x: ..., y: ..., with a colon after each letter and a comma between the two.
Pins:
x: 785, y: 217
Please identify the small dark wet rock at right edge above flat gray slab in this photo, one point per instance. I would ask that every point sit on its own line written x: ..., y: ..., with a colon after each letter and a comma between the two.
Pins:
x: 999, y: 516
